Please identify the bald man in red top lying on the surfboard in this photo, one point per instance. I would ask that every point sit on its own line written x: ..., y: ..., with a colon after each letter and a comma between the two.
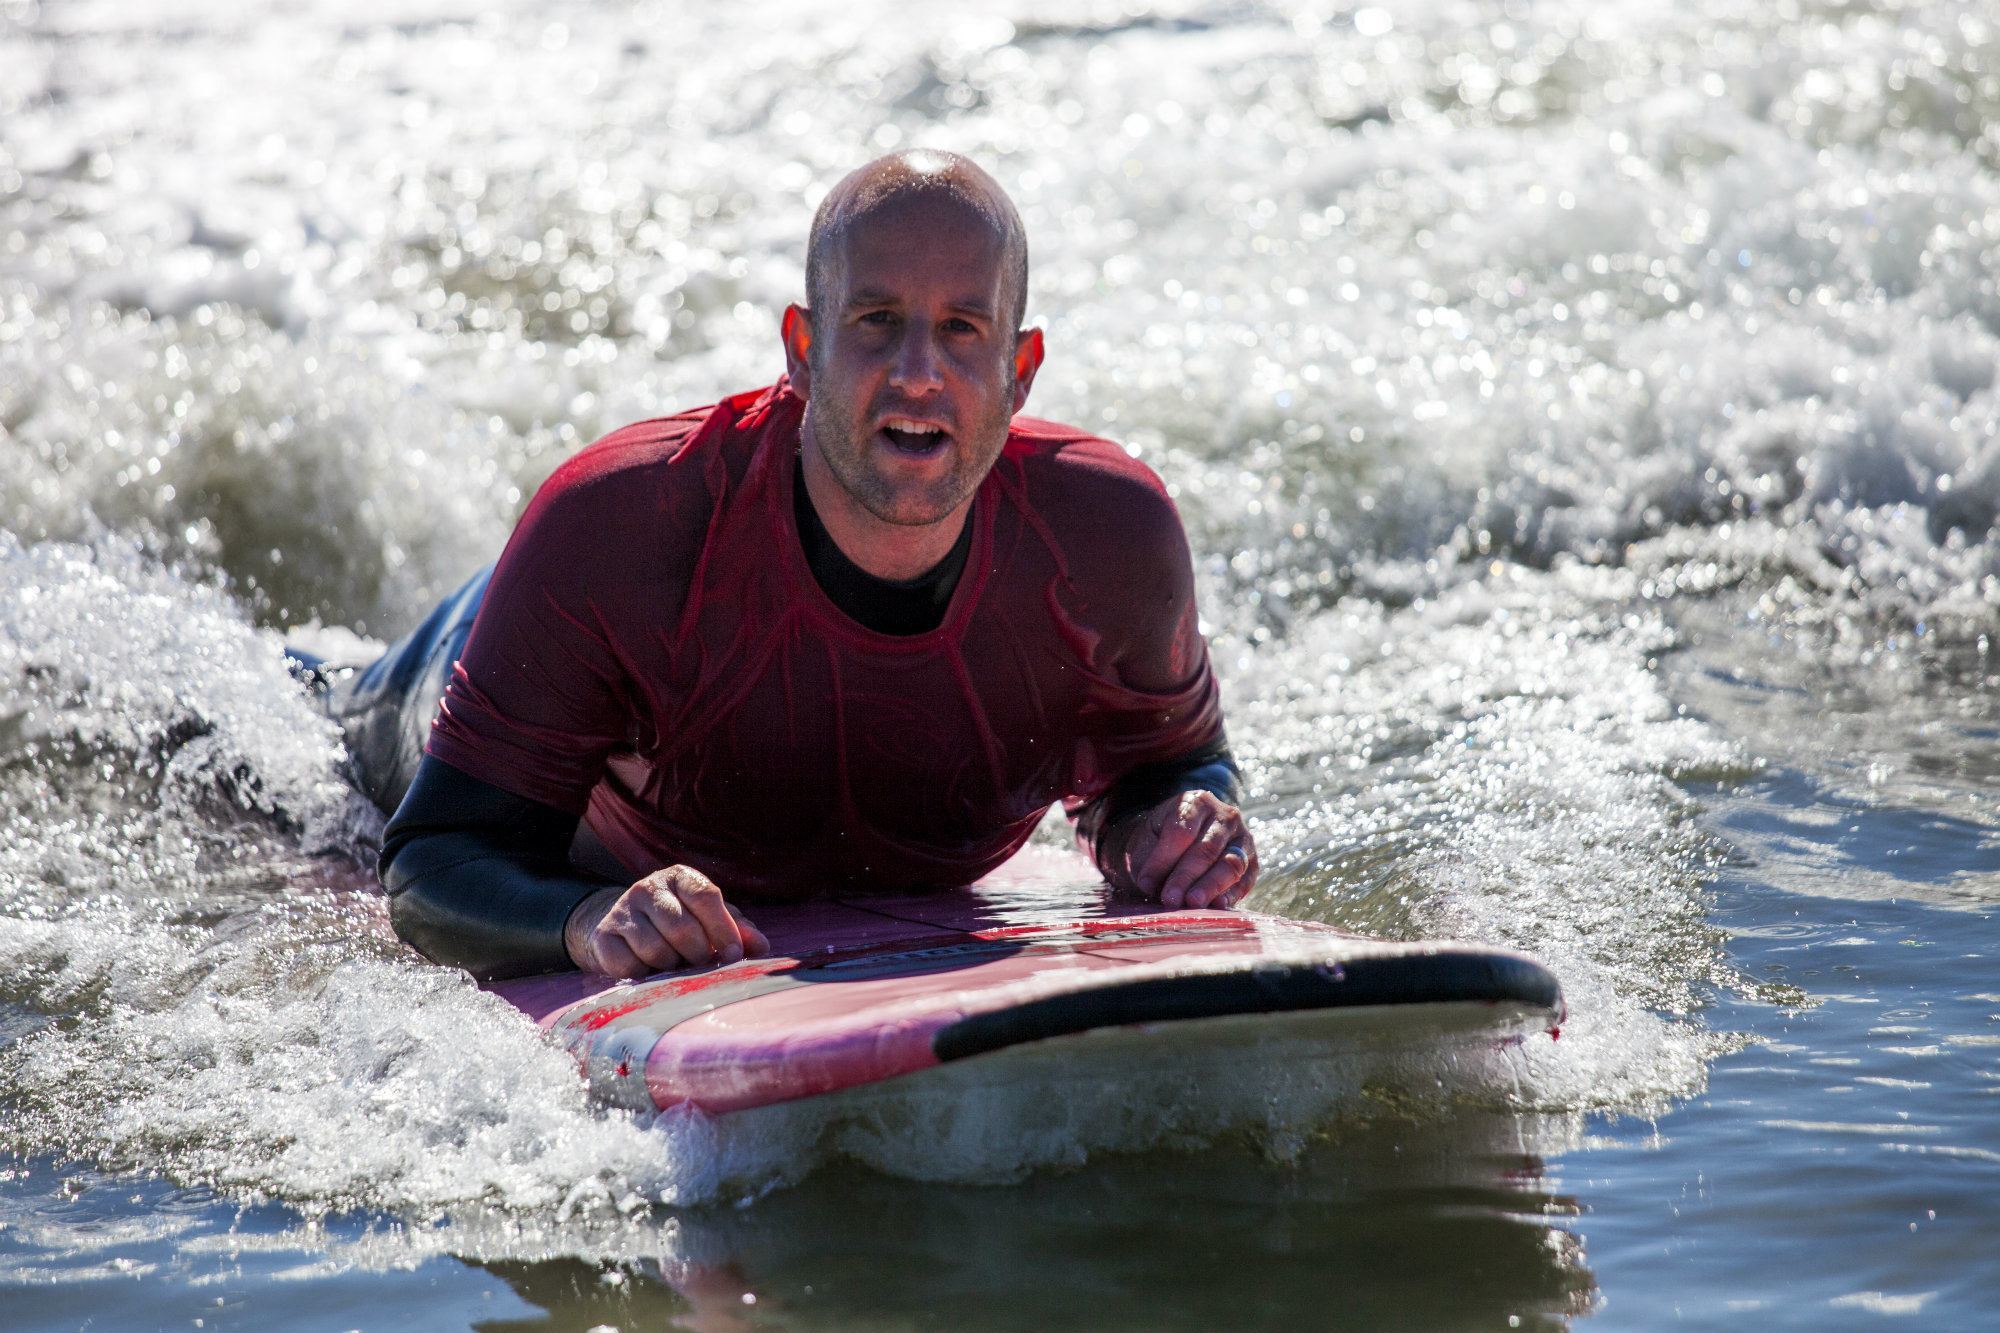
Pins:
x: 849, y: 633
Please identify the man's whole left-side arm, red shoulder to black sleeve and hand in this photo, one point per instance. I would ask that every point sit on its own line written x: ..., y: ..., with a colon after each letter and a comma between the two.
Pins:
x: 477, y: 856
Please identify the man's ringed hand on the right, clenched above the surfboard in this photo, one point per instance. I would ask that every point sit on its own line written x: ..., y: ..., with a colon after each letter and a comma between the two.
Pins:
x: 1193, y: 850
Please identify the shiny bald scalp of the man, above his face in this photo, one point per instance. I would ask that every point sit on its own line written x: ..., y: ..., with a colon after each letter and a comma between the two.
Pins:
x: 917, y: 177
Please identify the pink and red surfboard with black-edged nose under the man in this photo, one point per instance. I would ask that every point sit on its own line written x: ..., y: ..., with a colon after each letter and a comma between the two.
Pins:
x: 877, y: 990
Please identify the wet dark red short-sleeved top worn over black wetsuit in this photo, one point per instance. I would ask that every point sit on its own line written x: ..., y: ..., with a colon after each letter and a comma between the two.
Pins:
x: 655, y: 655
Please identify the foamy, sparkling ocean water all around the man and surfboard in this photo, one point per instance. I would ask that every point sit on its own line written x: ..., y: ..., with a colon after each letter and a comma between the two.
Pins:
x: 1587, y: 425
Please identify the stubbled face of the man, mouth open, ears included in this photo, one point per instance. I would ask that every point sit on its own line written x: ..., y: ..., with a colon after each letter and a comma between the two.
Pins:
x: 915, y: 365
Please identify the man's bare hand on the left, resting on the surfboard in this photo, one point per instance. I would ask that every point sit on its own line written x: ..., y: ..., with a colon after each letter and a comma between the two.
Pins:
x: 673, y: 918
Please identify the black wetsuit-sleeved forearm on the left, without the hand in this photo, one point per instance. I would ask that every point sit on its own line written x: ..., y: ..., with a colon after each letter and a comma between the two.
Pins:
x: 479, y: 878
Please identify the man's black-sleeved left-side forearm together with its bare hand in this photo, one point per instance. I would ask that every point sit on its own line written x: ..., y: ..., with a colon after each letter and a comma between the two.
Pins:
x: 481, y: 880
